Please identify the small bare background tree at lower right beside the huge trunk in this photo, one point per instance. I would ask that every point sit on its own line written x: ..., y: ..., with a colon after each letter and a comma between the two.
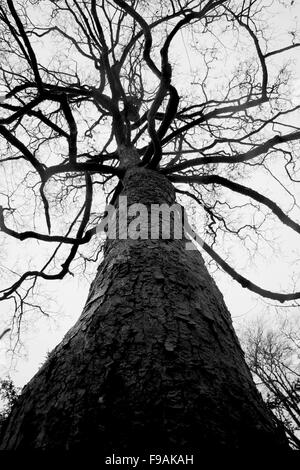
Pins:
x: 273, y: 357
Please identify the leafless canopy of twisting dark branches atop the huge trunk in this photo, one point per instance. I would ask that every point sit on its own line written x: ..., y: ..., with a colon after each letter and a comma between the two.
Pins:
x: 203, y: 90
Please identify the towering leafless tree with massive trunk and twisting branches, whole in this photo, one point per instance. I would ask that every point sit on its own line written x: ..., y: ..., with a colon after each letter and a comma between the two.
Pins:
x: 96, y: 99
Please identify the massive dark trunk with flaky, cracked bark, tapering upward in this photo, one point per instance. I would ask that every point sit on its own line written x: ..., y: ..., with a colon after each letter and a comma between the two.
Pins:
x: 153, y: 361
